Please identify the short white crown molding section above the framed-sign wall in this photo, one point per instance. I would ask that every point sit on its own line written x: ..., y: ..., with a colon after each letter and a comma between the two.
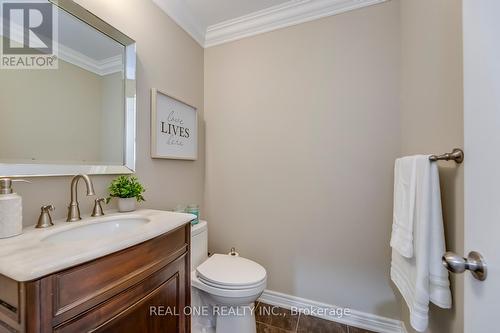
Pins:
x: 179, y: 12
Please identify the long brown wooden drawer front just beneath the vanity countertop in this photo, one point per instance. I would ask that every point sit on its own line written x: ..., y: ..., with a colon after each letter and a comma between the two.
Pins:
x: 82, y: 283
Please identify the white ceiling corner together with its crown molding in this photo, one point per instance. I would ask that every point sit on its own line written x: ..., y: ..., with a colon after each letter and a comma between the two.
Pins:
x: 214, y: 22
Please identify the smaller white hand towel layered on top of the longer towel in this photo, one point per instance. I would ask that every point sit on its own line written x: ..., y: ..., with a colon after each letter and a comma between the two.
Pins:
x: 404, y: 205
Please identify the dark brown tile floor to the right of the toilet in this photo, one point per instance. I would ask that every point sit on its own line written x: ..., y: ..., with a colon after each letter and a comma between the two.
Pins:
x: 283, y: 321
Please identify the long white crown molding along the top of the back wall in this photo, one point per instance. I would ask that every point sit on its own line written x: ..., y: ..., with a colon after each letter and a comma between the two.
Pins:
x: 287, y: 14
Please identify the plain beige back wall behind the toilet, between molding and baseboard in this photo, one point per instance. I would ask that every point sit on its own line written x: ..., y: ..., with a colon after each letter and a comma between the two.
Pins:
x: 302, y: 131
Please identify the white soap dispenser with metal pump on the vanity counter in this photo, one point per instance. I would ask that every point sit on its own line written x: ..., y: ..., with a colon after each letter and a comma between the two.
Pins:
x: 11, y: 209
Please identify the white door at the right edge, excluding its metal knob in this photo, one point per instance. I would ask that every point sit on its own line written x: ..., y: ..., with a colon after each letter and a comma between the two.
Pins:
x: 481, y: 28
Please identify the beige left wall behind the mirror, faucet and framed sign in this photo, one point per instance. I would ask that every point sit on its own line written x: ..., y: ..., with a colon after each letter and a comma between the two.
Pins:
x: 168, y: 59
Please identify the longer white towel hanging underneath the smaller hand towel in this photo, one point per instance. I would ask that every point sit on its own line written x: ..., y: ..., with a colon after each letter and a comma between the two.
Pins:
x: 422, y: 278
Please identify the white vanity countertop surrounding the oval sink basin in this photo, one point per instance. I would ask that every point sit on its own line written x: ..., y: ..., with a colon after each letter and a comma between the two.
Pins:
x: 29, y: 256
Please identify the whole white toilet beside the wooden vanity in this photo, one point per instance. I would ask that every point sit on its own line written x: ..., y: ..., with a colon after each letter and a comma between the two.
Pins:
x: 223, y: 288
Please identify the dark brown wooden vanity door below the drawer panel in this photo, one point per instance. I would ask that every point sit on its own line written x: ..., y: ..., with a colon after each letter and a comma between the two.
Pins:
x: 137, y: 309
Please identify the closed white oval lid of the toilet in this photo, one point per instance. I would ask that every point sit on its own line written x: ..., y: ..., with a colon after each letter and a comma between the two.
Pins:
x: 230, y: 271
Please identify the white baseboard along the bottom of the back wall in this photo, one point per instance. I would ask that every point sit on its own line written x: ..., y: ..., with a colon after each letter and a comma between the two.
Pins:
x: 354, y: 318
